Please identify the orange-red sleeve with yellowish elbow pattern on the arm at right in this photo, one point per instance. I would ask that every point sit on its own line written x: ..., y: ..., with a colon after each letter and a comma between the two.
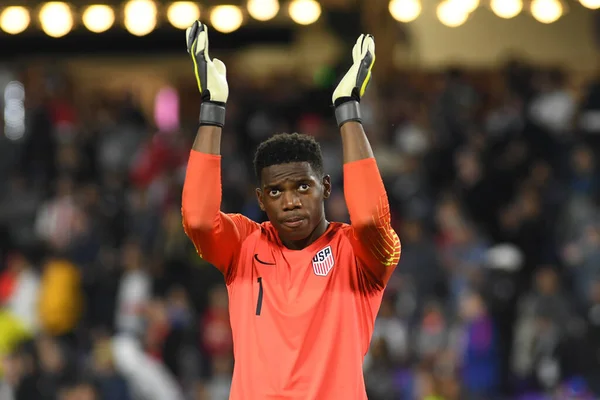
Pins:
x: 376, y: 245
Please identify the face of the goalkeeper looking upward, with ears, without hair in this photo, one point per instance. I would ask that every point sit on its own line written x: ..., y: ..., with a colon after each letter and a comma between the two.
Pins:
x: 292, y: 195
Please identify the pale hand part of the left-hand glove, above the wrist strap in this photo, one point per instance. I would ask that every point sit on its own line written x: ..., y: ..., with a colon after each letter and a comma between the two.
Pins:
x: 210, y: 74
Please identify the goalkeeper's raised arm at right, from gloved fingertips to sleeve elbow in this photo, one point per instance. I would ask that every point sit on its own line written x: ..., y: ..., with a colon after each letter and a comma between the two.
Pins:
x: 376, y: 245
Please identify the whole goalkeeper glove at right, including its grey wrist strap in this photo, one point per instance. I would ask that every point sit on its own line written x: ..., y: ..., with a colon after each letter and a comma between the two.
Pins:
x: 347, y: 95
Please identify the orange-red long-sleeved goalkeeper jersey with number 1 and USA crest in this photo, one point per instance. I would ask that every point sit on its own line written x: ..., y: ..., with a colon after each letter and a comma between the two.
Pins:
x: 302, y: 320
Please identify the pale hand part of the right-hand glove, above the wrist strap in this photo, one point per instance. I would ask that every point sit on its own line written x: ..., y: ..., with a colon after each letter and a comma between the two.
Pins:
x: 355, y: 82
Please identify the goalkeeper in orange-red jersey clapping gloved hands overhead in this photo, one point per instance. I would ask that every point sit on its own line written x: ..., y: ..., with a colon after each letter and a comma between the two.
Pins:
x: 304, y: 292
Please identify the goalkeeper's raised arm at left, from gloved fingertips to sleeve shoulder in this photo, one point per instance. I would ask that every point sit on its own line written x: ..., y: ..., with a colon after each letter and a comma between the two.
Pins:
x: 216, y: 236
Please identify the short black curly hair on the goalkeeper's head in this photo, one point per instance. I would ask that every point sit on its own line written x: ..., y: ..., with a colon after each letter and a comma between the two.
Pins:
x: 286, y: 148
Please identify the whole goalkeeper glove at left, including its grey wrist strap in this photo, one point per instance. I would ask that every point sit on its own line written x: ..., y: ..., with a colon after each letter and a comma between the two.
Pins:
x: 210, y: 75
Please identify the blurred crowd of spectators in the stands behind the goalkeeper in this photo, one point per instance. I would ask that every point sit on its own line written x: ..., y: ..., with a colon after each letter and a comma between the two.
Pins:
x: 493, y: 184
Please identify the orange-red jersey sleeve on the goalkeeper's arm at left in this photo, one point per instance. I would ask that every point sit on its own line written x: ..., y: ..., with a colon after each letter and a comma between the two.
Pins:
x: 217, y: 236
